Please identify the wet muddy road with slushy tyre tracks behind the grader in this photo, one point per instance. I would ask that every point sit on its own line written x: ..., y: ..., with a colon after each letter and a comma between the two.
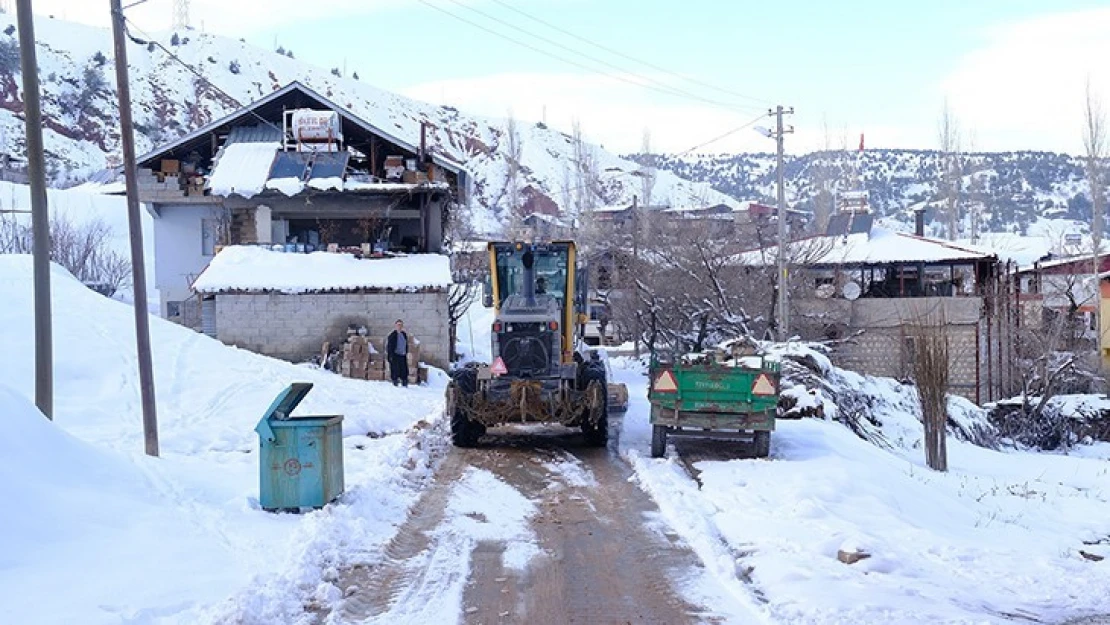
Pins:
x: 599, y: 553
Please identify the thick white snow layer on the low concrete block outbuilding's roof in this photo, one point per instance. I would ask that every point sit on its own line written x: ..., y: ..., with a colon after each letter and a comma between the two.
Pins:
x: 253, y: 269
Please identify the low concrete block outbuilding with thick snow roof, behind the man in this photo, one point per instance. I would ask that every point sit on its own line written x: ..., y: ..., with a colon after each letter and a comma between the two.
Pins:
x: 288, y: 305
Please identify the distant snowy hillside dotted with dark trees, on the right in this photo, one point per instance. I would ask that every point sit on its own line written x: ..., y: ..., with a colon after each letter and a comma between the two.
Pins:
x: 1012, y: 191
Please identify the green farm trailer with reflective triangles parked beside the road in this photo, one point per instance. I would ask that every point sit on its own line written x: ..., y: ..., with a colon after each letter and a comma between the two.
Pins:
x: 704, y: 398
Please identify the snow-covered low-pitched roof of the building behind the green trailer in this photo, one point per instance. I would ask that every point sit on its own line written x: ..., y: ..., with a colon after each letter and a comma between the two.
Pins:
x: 880, y: 247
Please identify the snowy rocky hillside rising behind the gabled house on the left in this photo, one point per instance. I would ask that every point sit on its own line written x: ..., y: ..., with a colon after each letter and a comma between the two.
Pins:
x: 83, y: 136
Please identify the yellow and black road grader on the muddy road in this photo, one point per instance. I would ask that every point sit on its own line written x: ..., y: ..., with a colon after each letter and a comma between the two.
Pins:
x: 540, y: 371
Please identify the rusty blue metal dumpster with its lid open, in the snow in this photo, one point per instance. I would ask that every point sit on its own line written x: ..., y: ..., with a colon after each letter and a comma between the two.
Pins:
x: 301, y: 460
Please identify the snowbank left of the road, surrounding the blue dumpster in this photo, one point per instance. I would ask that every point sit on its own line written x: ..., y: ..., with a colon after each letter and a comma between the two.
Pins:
x: 128, y: 539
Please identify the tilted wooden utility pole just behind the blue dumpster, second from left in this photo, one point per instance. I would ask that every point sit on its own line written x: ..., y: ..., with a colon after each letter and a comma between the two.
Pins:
x: 135, y: 224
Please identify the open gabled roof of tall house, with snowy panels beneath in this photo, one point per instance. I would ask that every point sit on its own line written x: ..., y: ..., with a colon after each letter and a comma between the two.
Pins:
x: 250, y: 163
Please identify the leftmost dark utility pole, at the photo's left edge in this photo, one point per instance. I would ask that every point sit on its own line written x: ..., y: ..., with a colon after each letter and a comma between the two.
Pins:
x: 41, y: 217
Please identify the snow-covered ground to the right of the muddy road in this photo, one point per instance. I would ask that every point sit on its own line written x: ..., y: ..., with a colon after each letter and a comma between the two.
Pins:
x: 997, y: 536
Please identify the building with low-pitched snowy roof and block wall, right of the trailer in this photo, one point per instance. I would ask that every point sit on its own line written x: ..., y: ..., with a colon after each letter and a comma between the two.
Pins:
x: 881, y: 291
